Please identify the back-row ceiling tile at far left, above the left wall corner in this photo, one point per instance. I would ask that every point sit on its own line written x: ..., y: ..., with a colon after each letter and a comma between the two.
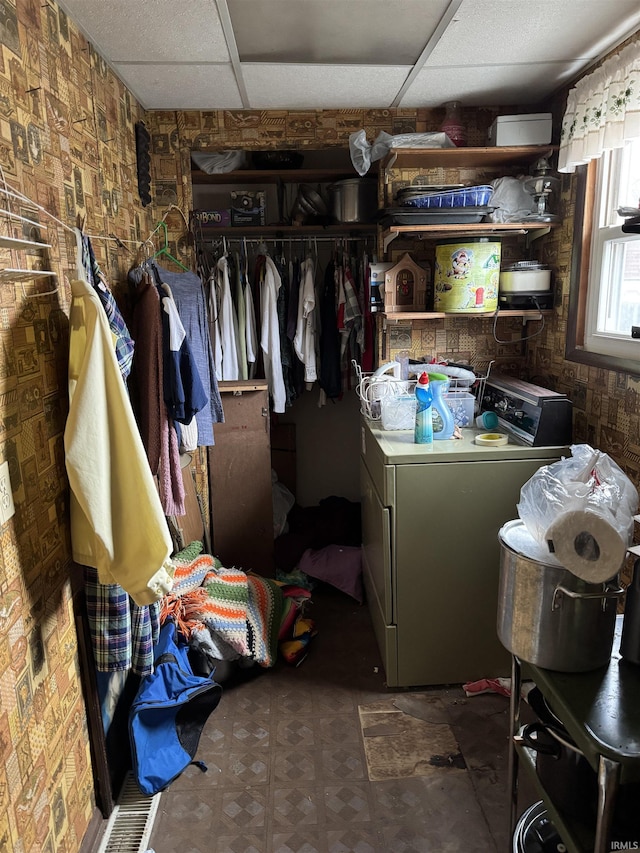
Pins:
x: 160, y: 86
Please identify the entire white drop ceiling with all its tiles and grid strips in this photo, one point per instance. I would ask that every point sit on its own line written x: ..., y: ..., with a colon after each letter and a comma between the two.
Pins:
x: 324, y: 54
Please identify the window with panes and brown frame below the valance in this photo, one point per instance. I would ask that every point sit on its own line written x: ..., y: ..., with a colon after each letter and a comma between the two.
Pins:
x: 609, y: 287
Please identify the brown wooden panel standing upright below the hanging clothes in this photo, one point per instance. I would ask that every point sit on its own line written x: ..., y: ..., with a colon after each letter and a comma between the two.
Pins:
x: 240, y: 489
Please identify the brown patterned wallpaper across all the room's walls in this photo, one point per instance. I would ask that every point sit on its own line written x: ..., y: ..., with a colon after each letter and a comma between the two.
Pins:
x: 67, y: 142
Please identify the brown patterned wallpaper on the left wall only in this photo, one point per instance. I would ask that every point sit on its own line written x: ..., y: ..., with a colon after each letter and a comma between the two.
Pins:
x: 67, y: 143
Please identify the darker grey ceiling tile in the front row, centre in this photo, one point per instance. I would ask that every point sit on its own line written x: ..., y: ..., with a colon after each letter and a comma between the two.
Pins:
x: 382, y: 32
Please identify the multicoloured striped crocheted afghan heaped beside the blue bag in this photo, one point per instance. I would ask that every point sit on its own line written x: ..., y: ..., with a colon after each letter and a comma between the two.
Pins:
x: 225, y: 612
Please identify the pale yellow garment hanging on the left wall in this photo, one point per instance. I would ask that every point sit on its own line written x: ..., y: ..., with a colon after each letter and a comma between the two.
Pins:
x: 117, y: 522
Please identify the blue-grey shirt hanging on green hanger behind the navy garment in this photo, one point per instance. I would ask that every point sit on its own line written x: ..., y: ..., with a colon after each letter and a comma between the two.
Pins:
x: 189, y: 297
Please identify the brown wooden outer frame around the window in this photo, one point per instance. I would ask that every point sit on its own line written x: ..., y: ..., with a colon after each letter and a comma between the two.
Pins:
x: 585, y: 204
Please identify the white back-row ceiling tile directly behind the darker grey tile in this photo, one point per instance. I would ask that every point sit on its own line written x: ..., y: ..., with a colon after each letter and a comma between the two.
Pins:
x: 321, y: 86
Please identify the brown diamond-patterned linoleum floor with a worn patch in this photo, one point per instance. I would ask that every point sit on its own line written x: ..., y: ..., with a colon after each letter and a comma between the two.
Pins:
x: 288, y: 771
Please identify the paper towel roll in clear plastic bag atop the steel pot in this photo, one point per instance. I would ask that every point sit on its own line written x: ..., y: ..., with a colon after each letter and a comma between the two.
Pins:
x: 587, y: 545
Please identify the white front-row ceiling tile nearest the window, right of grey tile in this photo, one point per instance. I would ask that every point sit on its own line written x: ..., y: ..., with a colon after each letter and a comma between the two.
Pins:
x: 484, y: 32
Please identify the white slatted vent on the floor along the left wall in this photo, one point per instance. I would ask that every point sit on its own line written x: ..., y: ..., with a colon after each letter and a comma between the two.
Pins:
x: 129, y: 826
